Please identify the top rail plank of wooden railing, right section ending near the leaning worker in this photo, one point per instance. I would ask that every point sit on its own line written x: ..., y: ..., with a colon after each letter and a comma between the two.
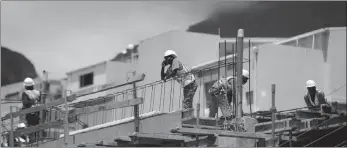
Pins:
x: 104, y: 87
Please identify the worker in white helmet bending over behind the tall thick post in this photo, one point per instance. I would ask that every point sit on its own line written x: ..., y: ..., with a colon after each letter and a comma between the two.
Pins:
x: 223, y: 91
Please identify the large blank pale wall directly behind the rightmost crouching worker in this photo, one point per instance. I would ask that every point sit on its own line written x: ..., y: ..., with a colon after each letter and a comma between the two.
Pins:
x: 289, y: 68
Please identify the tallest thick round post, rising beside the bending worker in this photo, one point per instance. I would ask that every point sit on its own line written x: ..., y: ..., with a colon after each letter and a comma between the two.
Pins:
x: 239, y: 67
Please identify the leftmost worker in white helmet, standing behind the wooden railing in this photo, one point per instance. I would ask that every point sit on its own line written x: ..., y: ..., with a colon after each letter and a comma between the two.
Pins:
x: 31, y: 98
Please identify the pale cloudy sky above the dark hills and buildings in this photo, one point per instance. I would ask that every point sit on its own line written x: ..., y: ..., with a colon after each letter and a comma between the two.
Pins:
x: 62, y: 36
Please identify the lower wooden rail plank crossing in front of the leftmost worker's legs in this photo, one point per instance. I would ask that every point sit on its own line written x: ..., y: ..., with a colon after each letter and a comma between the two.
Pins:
x: 53, y: 124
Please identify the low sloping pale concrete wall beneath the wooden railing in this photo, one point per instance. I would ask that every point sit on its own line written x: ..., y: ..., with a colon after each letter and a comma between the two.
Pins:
x: 157, y: 124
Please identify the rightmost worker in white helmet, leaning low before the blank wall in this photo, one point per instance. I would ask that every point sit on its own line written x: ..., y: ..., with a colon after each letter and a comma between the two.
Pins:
x: 315, y: 99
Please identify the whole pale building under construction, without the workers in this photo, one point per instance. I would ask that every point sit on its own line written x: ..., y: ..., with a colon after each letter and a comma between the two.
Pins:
x: 269, y: 111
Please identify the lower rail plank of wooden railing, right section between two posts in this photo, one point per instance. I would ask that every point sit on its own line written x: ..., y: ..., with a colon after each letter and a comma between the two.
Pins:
x: 115, y: 105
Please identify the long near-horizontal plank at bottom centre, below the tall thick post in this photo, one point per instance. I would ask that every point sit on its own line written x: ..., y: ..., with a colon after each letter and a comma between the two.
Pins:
x: 248, y: 135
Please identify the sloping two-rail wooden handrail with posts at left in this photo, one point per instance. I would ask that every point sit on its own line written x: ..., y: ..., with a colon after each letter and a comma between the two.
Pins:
x: 134, y: 79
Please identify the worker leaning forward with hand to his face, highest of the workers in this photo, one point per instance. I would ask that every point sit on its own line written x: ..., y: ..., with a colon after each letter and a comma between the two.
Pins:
x: 181, y: 74
